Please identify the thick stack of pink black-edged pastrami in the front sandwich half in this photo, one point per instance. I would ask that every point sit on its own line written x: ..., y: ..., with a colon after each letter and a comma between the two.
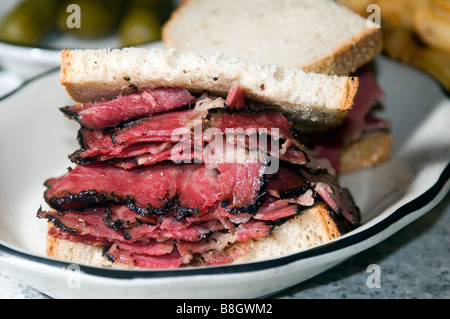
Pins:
x: 148, y: 187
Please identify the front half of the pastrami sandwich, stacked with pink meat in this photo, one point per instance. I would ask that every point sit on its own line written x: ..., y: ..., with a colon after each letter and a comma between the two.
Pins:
x: 189, y: 159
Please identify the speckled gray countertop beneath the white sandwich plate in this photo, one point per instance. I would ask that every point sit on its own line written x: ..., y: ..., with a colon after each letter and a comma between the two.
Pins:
x: 413, y: 263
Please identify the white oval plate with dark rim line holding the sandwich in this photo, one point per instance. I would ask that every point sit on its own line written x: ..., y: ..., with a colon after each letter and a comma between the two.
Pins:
x: 35, y: 140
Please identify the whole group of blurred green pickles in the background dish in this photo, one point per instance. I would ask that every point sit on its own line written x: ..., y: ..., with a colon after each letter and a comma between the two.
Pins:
x: 136, y: 22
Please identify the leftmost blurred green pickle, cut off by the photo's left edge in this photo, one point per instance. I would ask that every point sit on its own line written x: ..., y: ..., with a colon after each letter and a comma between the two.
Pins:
x: 26, y: 23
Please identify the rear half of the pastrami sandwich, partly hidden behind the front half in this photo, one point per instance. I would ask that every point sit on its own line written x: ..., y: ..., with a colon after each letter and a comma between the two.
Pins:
x: 313, y: 35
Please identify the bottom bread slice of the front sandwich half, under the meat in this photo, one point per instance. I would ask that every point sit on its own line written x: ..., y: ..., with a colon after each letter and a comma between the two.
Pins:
x: 312, y: 227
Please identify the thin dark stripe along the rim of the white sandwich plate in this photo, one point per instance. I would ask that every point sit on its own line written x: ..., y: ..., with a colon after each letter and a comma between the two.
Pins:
x: 412, y: 206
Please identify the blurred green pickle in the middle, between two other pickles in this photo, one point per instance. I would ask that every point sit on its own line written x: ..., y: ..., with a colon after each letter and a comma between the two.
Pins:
x: 96, y: 18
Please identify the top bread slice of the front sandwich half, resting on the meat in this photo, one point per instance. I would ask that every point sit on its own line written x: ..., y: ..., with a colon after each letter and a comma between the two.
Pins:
x: 314, y: 101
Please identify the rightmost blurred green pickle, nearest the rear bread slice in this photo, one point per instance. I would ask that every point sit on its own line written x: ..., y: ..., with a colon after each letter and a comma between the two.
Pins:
x: 140, y: 25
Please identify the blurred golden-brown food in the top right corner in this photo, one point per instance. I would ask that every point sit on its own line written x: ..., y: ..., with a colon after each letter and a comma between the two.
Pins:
x: 416, y: 32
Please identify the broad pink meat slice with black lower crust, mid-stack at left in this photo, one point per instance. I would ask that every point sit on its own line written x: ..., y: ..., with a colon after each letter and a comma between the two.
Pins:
x: 146, y: 187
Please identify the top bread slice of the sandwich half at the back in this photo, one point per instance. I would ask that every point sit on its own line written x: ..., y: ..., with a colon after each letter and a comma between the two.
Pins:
x: 313, y: 35
